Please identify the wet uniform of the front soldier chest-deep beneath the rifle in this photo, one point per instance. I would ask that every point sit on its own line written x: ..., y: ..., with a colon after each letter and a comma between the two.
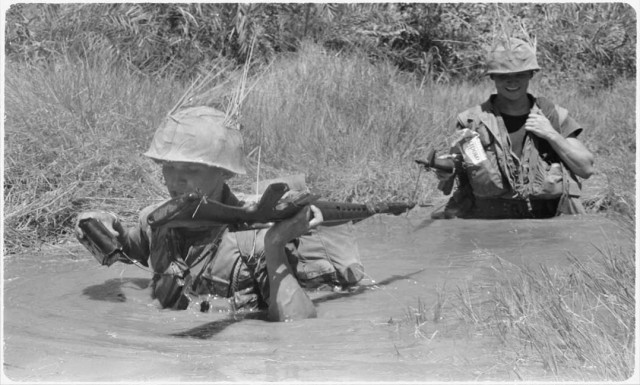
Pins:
x: 194, y: 261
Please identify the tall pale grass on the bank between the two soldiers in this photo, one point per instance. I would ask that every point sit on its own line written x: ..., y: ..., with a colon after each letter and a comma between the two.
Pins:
x: 353, y: 127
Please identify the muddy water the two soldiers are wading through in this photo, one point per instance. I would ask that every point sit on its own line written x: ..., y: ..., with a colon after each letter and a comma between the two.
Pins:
x: 68, y: 319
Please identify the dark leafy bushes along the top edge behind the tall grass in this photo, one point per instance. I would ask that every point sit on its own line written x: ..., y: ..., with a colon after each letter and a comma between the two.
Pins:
x: 441, y: 41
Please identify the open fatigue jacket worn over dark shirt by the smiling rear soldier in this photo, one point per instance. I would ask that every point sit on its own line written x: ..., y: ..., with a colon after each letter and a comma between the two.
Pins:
x: 539, y: 174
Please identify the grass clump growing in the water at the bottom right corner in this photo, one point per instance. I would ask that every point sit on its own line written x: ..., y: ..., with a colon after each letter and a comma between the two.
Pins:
x: 577, y: 322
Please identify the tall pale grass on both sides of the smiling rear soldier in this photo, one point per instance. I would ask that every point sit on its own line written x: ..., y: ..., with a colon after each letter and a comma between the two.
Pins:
x: 355, y: 127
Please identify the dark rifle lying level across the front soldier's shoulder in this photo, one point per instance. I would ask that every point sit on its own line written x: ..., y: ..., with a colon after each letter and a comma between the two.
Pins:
x: 194, y: 209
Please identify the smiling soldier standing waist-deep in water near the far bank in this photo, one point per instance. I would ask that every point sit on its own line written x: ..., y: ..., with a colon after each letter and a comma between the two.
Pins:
x: 520, y: 156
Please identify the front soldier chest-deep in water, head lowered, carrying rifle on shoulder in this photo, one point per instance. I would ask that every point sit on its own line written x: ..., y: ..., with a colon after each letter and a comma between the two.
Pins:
x: 267, y: 269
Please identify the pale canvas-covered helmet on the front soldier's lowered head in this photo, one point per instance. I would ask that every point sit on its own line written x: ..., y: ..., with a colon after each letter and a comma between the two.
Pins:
x: 198, y: 135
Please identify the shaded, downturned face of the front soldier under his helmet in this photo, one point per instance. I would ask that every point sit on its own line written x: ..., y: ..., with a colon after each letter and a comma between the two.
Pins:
x: 183, y: 177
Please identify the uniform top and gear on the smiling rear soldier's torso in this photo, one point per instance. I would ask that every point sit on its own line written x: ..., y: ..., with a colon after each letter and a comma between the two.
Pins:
x: 522, y: 176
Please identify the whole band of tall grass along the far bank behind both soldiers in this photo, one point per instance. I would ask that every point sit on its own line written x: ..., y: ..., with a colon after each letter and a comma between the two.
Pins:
x: 75, y: 132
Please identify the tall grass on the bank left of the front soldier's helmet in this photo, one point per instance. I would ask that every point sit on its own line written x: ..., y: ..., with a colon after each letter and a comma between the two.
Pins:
x: 74, y: 135
